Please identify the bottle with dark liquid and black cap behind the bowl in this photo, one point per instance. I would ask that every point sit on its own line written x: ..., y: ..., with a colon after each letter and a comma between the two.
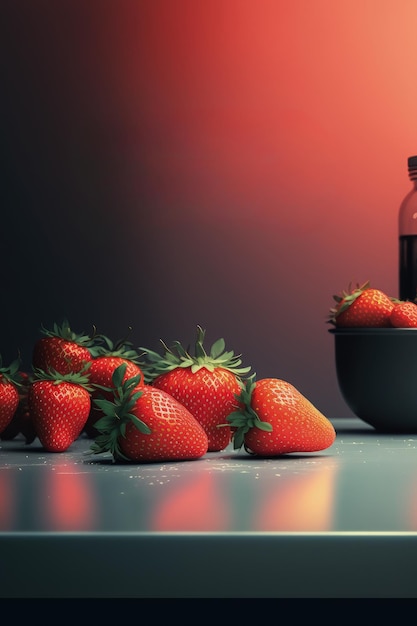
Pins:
x: 407, y: 228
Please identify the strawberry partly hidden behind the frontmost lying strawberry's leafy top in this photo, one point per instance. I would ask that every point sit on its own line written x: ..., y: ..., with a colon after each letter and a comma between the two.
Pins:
x: 106, y: 359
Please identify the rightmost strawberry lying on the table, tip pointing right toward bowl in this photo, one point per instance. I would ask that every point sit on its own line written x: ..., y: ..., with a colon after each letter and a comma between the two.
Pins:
x: 278, y: 419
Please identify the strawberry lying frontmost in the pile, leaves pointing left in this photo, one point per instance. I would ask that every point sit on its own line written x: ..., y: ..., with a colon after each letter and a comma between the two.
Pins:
x: 146, y: 424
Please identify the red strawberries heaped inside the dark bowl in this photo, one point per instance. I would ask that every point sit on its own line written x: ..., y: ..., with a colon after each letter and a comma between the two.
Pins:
x: 364, y: 306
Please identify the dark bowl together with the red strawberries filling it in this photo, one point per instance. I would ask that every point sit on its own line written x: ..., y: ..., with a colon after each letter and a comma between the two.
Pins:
x: 375, y: 339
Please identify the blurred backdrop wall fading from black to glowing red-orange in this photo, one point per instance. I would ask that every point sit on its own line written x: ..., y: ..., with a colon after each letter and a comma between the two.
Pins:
x: 228, y: 163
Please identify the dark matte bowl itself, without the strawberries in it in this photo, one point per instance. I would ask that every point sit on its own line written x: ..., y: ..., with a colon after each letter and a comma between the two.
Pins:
x: 377, y: 375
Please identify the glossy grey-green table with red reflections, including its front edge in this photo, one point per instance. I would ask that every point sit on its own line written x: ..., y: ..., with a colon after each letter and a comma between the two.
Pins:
x: 340, y: 522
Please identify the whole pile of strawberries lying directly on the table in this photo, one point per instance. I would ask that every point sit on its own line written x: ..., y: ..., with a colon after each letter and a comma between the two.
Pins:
x: 141, y: 405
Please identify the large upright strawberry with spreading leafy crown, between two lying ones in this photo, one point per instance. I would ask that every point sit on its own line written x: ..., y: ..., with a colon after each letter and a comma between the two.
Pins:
x: 205, y: 383
